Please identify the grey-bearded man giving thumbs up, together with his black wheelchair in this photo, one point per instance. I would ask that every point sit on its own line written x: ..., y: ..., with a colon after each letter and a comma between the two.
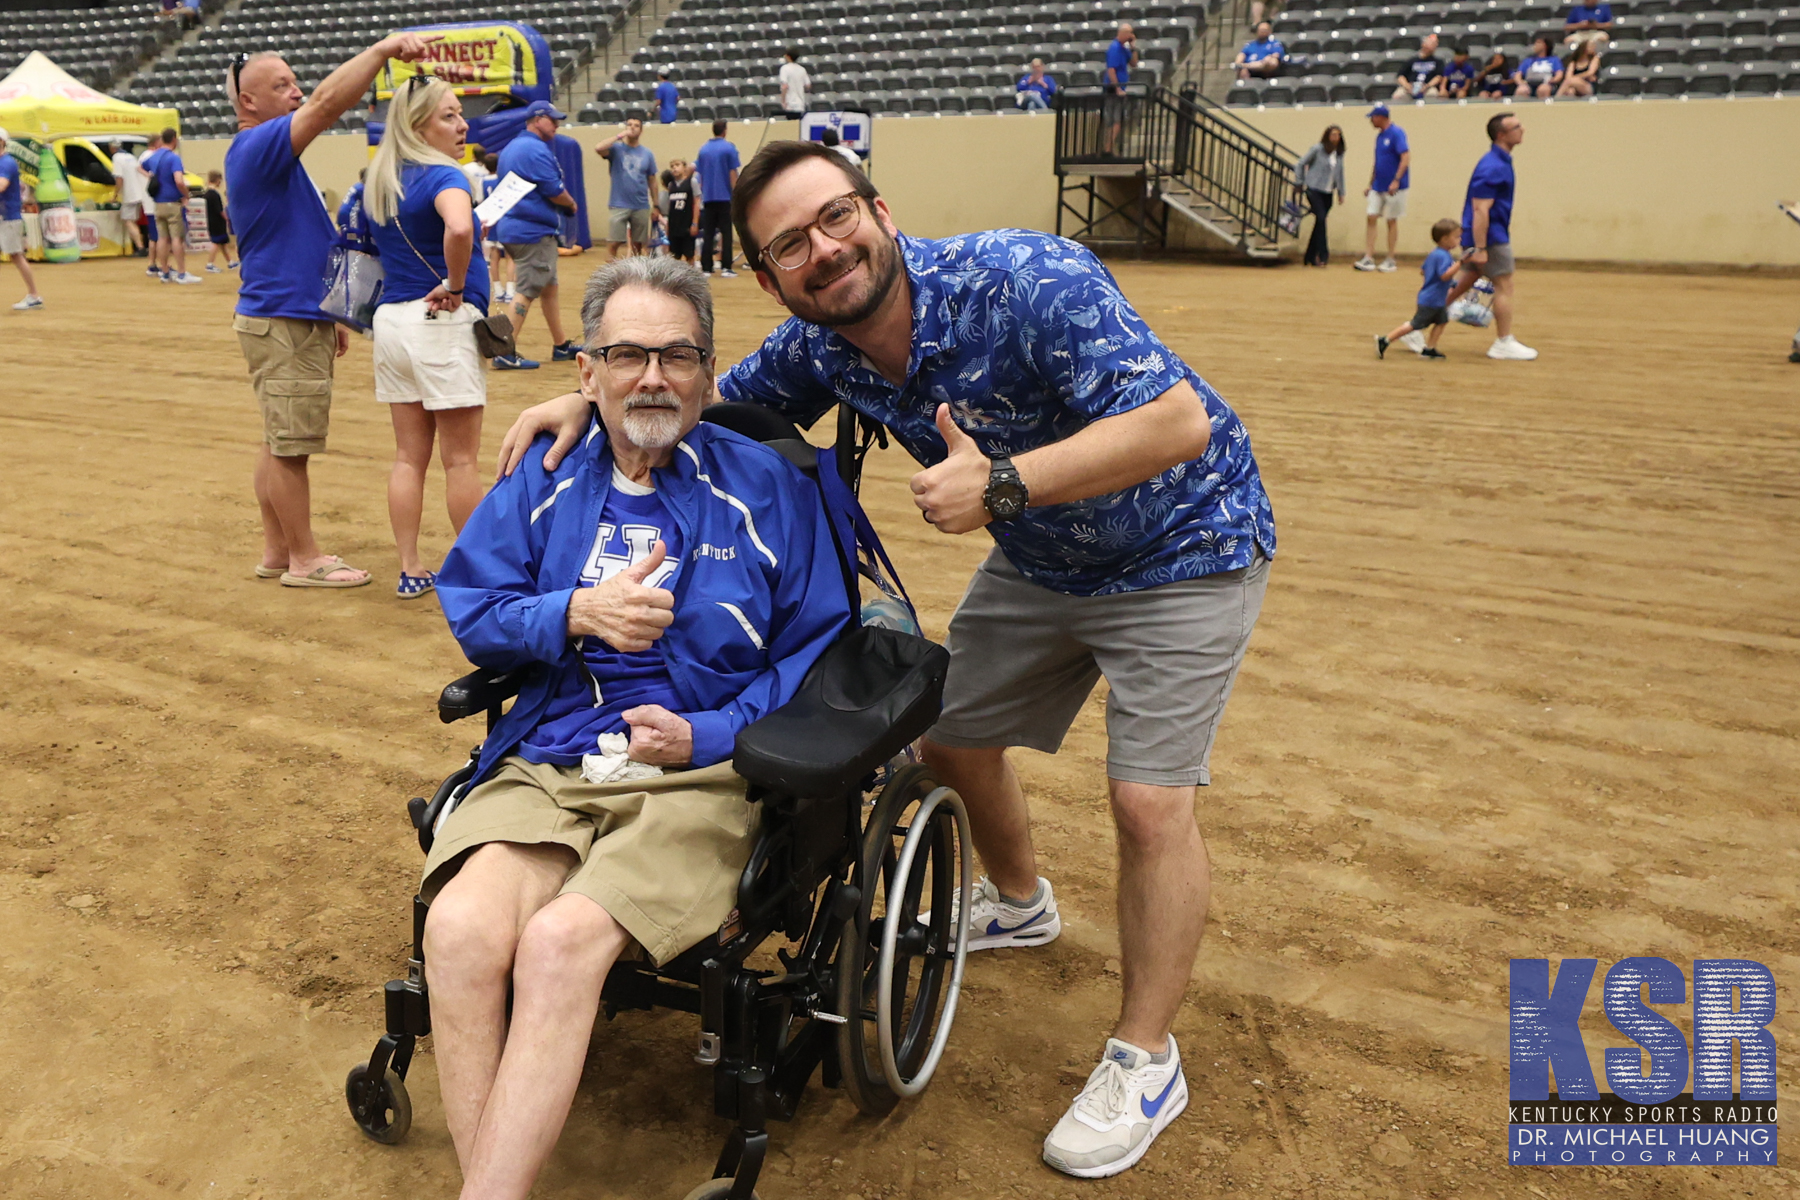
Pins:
x: 681, y: 775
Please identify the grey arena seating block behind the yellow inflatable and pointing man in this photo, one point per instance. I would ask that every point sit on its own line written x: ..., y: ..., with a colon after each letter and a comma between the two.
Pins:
x: 316, y: 39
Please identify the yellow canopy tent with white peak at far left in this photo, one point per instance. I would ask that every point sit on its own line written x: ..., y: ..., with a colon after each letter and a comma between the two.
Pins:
x: 46, y: 105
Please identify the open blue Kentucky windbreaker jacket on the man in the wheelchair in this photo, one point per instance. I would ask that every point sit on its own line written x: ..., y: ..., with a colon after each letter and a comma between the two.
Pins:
x: 759, y: 600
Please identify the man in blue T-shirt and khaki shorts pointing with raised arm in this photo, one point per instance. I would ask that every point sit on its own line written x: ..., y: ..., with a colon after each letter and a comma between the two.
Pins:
x: 285, y: 237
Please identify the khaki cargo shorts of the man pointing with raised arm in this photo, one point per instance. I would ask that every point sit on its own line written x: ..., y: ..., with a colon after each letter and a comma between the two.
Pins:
x: 291, y: 370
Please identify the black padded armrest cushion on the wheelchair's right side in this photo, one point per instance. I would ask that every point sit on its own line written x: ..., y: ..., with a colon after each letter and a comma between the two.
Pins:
x: 868, y: 697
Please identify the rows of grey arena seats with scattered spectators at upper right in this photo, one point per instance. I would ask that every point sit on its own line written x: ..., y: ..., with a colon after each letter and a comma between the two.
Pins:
x: 1660, y: 48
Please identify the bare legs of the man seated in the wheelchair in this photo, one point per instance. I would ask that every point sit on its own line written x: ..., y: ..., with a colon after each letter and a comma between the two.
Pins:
x: 507, y: 1088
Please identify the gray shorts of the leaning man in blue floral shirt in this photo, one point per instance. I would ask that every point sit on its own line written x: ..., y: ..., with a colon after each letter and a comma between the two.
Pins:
x: 1023, y: 661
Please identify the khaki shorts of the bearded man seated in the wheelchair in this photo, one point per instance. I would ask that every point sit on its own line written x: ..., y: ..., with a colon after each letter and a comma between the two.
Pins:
x: 661, y: 855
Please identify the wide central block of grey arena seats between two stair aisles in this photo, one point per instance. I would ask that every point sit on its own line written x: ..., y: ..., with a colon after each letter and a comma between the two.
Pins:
x: 890, y: 57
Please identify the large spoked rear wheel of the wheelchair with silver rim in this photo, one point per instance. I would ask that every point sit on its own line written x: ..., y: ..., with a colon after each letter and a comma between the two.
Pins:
x: 899, y: 976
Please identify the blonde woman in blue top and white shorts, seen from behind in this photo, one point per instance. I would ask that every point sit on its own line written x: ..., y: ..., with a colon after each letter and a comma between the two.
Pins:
x: 427, y: 370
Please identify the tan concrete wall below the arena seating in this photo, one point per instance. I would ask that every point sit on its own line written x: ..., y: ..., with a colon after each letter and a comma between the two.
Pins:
x: 1626, y: 183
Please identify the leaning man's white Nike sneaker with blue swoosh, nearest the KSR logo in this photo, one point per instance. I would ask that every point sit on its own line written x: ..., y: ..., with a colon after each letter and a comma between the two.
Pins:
x: 1126, y: 1104
